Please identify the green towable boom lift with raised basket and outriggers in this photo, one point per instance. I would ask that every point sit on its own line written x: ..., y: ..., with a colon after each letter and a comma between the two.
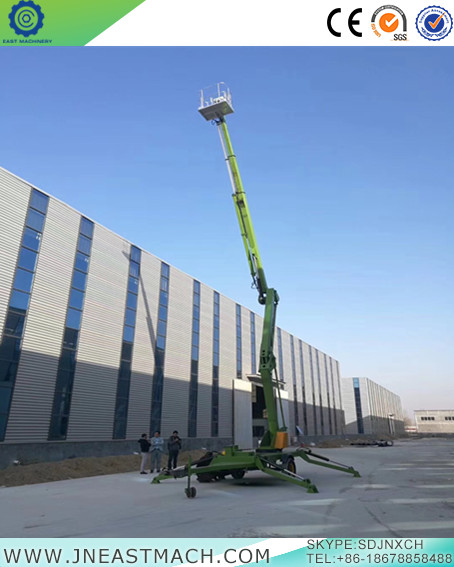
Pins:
x: 272, y: 457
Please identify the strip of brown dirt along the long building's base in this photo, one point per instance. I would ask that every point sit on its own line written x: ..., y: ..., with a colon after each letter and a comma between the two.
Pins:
x: 77, y: 468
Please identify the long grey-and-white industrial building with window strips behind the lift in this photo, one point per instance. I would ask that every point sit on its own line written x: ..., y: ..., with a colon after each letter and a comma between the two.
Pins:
x: 102, y: 341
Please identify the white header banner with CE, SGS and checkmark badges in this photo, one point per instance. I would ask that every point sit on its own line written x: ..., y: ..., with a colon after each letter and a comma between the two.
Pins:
x: 284, y: 23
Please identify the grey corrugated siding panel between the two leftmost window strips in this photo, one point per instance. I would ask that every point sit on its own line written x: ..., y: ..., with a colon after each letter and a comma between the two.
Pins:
x: 35, y: 383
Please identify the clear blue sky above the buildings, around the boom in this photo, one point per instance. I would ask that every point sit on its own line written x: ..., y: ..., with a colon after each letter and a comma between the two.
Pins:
x: 346, y: 156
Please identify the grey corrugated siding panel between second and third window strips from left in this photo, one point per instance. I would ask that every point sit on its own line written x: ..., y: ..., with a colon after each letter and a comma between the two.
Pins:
x: 98, y: 357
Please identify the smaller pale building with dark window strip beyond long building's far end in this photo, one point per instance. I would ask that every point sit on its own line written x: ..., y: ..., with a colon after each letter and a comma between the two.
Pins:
x: 370, y: 409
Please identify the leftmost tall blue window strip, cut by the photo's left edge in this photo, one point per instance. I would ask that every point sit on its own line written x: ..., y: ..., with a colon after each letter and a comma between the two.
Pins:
x: 13, y: 330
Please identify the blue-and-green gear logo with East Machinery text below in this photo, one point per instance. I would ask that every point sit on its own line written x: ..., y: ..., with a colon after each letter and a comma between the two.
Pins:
x: 26, y: 18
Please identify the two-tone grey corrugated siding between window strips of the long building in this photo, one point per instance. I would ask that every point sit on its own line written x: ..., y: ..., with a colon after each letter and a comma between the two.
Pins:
x: 98, y: 356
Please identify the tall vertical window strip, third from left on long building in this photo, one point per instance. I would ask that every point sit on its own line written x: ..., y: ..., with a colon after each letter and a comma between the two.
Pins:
x: 124, y: 373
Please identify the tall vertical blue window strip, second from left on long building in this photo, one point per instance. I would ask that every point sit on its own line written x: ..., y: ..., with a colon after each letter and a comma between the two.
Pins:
x: 61, y: 406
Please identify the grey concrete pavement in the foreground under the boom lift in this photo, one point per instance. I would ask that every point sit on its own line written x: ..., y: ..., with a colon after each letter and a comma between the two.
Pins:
x: 405, y: 491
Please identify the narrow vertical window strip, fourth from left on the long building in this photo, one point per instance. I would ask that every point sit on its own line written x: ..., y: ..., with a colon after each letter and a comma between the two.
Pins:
x: 158, y: 377
